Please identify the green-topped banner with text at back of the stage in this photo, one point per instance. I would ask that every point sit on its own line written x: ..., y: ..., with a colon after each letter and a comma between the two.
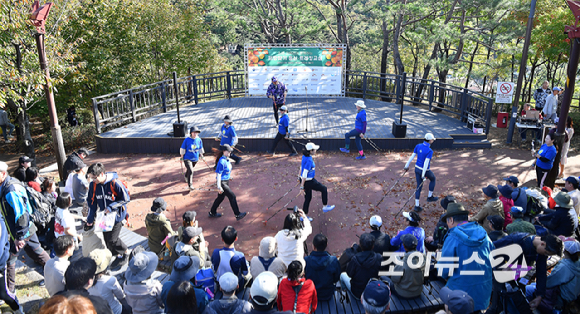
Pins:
x: 311, y: 71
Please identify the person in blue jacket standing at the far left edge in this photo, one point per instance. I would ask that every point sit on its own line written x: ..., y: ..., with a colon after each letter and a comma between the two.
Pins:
x: 17, y: 213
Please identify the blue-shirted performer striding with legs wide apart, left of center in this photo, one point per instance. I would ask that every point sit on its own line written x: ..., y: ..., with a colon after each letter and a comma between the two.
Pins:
x: 223, y: 176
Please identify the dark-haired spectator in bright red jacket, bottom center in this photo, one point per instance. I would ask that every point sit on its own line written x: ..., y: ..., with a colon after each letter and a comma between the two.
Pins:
x: 303, y: 301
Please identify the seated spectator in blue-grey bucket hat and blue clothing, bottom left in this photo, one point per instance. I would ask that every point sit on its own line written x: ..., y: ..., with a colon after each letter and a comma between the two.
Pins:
x: 184, y: 269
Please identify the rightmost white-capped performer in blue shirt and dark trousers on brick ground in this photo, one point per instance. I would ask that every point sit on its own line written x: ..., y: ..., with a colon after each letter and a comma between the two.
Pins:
x: 424, y: 155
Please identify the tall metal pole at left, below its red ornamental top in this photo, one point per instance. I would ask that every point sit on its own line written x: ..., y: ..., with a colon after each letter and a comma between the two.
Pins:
x: 54, y: 127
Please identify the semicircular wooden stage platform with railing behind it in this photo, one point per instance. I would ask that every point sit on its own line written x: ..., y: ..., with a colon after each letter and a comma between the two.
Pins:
x: 325, y: 119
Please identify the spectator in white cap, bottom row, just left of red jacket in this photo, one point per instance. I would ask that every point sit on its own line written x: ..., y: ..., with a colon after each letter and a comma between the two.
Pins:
x: 263, y: 294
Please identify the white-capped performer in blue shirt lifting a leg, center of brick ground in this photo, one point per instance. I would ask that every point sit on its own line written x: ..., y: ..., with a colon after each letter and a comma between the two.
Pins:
x: 308, y: 183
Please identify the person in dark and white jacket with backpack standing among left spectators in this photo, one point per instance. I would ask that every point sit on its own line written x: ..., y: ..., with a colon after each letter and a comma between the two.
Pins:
x: 109, y: 194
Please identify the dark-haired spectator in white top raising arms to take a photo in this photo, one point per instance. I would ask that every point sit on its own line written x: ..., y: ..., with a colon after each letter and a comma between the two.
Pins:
x: 291, y: 238
